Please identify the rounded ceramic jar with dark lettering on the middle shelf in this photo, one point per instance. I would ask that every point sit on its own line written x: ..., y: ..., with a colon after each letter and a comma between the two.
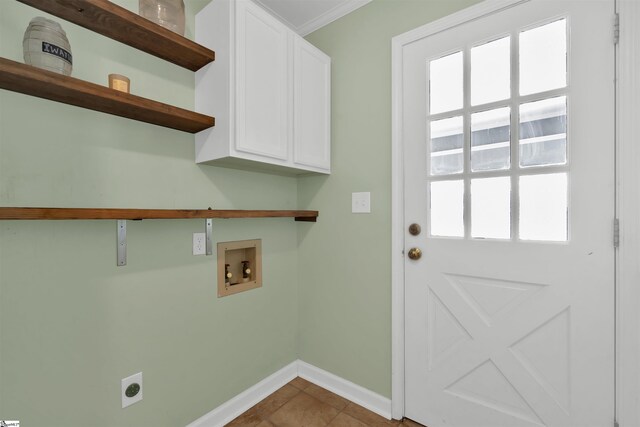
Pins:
x: 45, y: 45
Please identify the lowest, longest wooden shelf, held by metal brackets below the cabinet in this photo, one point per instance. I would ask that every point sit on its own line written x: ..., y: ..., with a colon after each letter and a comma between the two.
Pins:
x: 11, y: 213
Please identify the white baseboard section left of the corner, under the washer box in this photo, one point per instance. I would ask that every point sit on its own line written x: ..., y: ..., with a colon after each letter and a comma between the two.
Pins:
x: 229, y: 410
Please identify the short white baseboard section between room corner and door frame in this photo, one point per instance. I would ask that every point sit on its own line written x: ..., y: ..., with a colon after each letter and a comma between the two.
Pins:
x: 350, y: 391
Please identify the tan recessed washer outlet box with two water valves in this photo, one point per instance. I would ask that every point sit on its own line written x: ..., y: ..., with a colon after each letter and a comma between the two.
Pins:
x: 239, y: 266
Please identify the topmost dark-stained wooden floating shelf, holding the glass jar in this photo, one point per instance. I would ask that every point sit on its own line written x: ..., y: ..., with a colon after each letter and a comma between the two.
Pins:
x: 113, y: 21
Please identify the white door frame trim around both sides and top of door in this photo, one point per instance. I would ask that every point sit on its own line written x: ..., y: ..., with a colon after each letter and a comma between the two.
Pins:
x: 627, y: 140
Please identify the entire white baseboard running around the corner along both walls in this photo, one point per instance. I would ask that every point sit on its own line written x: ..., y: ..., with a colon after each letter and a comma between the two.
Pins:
x: 229, y: 410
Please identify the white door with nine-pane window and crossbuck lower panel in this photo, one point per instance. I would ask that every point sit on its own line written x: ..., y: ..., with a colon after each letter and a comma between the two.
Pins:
x: 508, y: 133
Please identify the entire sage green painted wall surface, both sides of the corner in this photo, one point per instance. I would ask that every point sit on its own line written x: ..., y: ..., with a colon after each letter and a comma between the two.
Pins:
x: 72, y: 324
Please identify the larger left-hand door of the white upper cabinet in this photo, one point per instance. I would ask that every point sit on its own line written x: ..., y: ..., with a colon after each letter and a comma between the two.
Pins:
x: 261, y: 57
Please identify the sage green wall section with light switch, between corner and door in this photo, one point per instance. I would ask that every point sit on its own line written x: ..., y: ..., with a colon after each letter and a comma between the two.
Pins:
x: 344, y: 260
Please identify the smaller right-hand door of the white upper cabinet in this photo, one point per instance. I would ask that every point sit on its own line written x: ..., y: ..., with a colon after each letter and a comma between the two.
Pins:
x: 312, y: 106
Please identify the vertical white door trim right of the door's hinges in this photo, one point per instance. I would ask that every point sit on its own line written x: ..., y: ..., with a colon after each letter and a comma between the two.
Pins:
x: 628, y: 212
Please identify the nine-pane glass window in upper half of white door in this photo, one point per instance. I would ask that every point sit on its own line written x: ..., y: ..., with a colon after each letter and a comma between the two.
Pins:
x: 497, y: 137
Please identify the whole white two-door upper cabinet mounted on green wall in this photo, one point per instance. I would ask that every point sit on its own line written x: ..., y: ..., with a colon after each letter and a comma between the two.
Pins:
x: 269, y: 90
